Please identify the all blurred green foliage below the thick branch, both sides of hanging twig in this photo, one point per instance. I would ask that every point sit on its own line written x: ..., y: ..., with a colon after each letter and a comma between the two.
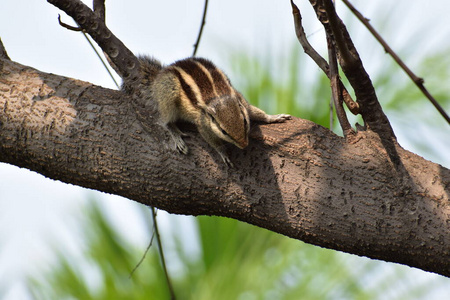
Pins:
x: 235, y: 261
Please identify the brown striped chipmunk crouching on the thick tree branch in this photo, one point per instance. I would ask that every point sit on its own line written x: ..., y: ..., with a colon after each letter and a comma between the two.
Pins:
x: 196, y: 91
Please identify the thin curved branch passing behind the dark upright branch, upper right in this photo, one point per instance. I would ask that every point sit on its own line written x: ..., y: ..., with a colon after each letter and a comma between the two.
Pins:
x: 318, y: 59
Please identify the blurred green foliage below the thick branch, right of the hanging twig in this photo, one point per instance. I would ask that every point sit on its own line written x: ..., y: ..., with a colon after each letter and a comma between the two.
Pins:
x: 240, y: 261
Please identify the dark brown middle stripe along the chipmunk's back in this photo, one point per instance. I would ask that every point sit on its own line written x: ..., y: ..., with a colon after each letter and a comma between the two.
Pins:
x: 203, y: 80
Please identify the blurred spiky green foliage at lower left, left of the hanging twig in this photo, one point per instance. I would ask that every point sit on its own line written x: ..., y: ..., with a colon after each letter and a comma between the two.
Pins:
x: 104, y: 271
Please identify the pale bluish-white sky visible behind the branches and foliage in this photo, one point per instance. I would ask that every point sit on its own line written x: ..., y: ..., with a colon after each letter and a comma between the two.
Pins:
x: 36, y: 213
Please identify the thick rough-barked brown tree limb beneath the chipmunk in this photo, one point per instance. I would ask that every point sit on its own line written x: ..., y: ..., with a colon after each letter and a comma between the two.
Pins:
x: 298, y: 178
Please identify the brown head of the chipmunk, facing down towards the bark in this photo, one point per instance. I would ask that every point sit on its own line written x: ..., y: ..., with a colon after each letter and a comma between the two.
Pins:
x: 229, y: 120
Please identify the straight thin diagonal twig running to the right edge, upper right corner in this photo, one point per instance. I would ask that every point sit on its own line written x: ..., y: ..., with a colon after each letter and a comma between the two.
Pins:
x: 417, y: 80
